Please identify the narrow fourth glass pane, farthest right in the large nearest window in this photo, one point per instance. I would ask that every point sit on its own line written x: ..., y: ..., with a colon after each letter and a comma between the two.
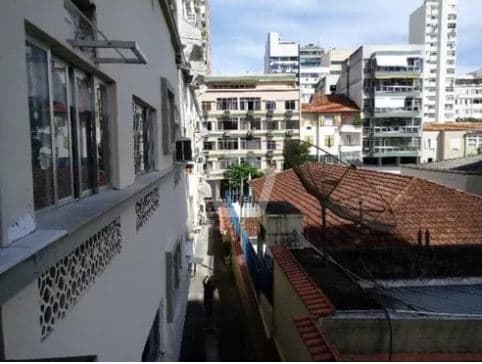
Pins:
x: 102, y: 133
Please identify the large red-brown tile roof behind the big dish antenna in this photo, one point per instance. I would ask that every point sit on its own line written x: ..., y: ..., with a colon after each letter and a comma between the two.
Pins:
x: 408, y: 204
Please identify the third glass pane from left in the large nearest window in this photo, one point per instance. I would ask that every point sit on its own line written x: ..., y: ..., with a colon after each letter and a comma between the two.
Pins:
x: 84, y: 110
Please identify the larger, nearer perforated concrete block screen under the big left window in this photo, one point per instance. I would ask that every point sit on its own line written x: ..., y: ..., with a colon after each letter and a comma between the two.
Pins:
x: 63, y: 284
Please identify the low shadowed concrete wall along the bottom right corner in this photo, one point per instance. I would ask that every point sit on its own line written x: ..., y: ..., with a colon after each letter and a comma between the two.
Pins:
x: 410, y: 335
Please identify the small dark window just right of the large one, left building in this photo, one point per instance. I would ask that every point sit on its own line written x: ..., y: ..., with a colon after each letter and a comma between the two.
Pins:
x: 143, y: 139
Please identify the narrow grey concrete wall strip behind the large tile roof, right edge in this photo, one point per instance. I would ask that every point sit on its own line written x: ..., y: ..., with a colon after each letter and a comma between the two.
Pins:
x: 462, y: 181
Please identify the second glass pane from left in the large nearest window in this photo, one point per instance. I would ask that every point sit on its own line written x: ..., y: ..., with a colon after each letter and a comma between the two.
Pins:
x: 63, y: 140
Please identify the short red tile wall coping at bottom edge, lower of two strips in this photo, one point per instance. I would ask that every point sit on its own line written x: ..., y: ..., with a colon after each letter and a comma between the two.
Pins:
x: 315, y: 341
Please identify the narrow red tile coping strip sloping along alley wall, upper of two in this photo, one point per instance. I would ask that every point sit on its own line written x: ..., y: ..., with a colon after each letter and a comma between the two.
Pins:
x: 310, y: 294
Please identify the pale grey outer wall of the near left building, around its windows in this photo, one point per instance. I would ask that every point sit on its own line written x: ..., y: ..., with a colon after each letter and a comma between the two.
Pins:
x: 113, y: 316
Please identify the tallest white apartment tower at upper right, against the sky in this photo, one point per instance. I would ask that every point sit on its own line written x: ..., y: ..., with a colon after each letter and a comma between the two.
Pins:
x: 434, y: 24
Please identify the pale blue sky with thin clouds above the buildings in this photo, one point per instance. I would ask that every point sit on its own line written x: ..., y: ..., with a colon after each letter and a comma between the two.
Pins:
x: 240, y: 28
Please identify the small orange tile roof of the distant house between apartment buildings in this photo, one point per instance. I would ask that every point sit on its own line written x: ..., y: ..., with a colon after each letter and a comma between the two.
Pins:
x: 329, y: 104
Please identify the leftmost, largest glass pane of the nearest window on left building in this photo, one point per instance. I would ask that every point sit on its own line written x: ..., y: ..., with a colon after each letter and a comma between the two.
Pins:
x: 40, y: 128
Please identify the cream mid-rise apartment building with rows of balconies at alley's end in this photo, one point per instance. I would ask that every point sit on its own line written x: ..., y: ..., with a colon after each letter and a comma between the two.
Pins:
x: 247, y: 119
